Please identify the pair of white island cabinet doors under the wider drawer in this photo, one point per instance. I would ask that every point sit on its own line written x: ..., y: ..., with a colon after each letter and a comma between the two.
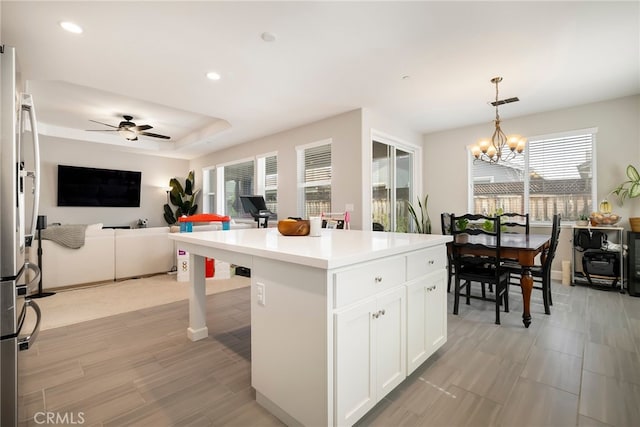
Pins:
x: 370, y: 353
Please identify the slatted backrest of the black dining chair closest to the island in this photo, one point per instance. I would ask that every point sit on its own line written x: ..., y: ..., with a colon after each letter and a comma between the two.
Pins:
x: 486, y: 236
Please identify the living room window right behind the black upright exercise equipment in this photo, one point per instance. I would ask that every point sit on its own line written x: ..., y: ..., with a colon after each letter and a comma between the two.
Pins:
x: 237, y: 180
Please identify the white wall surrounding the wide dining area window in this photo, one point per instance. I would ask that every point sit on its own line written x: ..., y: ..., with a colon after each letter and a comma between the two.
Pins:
x: 617, y: 145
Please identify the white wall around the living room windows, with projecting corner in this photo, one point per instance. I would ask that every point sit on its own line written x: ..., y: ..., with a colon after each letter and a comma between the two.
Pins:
x: 351, y: 156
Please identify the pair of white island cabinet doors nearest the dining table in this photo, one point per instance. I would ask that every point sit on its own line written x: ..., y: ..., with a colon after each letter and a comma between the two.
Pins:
x: 426, y: 317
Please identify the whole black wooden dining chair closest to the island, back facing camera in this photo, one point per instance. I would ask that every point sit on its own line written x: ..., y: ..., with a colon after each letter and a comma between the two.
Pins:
x: 471, y: 268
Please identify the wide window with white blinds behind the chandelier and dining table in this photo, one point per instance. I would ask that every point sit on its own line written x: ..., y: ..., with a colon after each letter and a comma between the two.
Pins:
x: 555, y: 175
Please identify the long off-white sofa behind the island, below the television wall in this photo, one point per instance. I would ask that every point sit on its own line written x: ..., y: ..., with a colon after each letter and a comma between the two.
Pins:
x: 111, y: 254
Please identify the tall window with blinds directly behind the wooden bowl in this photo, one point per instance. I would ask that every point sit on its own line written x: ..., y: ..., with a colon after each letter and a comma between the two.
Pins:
x: 314, y: 178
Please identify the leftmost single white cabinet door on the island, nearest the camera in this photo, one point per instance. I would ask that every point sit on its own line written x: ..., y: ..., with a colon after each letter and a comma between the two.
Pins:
x: 355, y: 362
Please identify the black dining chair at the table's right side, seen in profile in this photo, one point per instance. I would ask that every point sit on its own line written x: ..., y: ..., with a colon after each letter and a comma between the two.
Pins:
x: 541, y: 273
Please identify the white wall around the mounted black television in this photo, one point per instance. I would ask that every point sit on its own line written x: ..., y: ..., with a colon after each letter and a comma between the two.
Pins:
x: 156, y: 172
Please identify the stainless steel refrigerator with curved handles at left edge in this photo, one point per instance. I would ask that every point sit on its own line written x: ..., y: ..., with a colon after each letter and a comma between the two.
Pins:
x: 19, y: 188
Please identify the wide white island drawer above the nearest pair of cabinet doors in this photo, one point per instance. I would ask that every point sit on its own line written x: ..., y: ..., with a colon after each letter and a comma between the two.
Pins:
x: 367, y: 279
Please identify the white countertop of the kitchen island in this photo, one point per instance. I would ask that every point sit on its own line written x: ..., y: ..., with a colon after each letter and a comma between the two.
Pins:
x: 333, y: 249
